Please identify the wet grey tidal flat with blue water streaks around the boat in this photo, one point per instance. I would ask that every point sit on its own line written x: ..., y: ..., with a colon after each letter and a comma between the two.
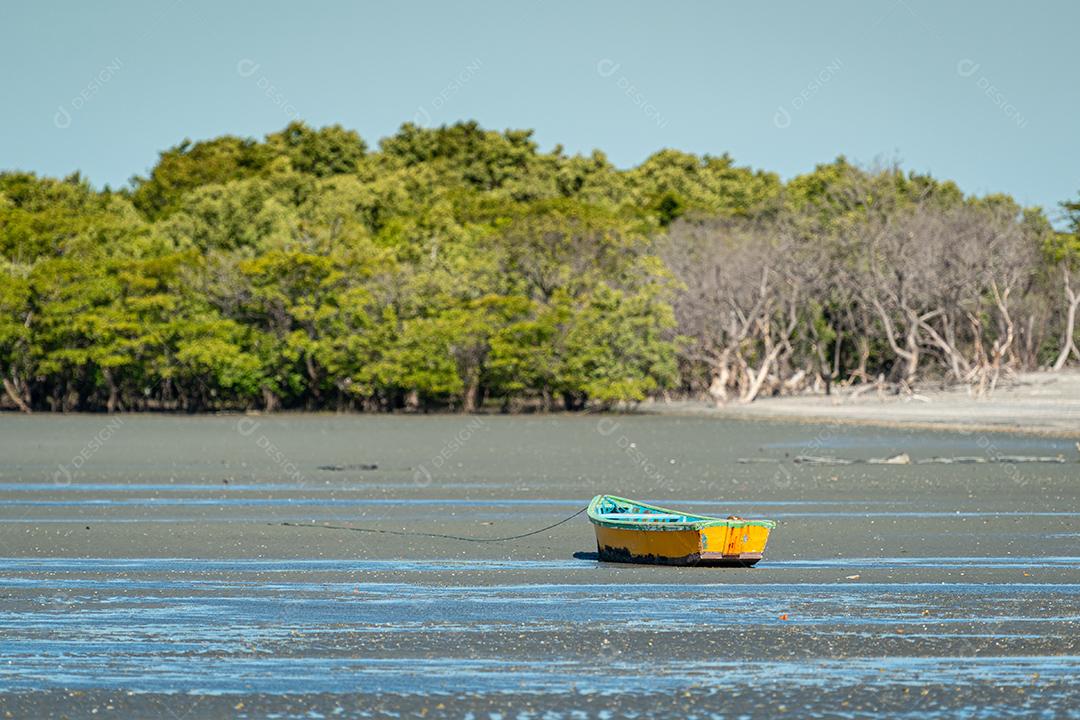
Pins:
x: 153, y: 577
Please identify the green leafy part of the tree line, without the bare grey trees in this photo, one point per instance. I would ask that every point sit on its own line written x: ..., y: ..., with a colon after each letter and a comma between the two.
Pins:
x: 453, y: 267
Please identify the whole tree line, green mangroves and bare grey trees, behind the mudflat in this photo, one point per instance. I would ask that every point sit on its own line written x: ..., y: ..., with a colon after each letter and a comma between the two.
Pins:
x: 462, y: 268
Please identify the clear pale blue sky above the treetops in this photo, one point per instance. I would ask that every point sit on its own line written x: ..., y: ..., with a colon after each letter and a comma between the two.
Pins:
x: 984, y: 93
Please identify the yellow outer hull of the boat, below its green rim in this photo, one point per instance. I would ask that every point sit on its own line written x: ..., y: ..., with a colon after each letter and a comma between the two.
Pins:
x: 733, y: 547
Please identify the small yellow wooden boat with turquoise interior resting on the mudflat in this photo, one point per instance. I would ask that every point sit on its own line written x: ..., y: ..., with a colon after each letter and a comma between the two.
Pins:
x: 631, y: 532
